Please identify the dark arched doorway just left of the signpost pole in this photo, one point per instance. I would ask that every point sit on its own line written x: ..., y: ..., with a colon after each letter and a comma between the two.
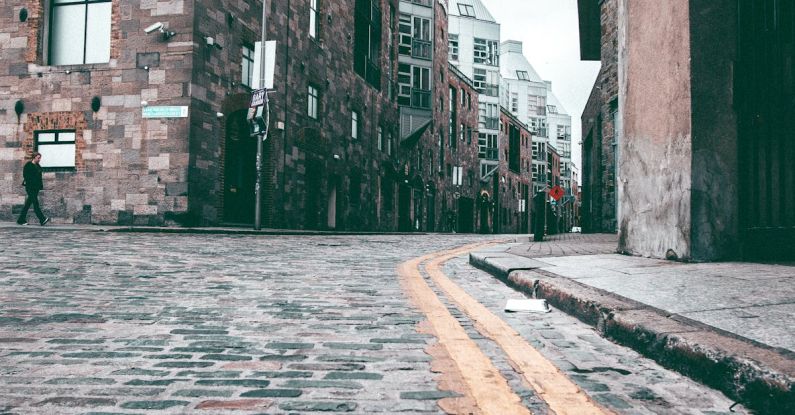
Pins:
x: 239, y: 171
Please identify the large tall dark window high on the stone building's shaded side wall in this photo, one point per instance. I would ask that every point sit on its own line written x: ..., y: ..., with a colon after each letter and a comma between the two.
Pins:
x: 367, y: 44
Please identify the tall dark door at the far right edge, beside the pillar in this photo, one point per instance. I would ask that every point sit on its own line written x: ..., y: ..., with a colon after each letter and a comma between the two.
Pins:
x: 766, y: 105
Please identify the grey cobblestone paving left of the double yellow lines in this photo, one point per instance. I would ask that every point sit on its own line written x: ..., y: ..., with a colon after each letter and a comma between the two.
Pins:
x: 101, y: 323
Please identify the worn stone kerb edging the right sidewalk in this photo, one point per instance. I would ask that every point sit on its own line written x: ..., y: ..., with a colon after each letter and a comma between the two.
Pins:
x: 756, y: 375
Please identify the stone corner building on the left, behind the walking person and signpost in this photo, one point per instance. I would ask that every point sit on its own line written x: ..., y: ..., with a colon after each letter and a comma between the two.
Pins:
x: 149, y: 128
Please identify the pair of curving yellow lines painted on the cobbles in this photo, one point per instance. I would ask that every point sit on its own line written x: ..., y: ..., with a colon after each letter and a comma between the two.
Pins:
x: 484, y: 383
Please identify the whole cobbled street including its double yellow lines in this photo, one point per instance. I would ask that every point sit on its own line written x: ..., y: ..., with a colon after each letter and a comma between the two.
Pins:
x: 99, y: 322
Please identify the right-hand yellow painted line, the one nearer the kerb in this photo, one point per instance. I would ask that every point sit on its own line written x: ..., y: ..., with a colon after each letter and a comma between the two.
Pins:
x: 556, y: 389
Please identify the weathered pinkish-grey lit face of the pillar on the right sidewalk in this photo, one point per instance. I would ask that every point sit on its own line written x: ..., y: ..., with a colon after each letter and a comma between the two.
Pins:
x: 656, y: 146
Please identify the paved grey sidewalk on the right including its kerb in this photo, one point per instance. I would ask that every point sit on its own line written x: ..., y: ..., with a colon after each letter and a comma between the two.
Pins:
x: 728, y: 325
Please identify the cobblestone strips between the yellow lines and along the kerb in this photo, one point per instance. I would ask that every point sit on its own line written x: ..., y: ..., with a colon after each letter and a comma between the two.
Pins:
x: 614, y: 376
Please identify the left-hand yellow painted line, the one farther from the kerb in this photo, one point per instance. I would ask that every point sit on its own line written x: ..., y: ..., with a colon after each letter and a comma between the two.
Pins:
x: 486, y: 385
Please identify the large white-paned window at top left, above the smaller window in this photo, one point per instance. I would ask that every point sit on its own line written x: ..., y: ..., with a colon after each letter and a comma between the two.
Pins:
x: 79, y: 32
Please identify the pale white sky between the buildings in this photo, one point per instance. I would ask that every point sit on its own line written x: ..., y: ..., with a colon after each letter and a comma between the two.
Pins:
x: 549, y: 32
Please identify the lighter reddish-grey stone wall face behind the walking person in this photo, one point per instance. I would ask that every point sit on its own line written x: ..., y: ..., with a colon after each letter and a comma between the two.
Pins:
x: 124, y: 163
